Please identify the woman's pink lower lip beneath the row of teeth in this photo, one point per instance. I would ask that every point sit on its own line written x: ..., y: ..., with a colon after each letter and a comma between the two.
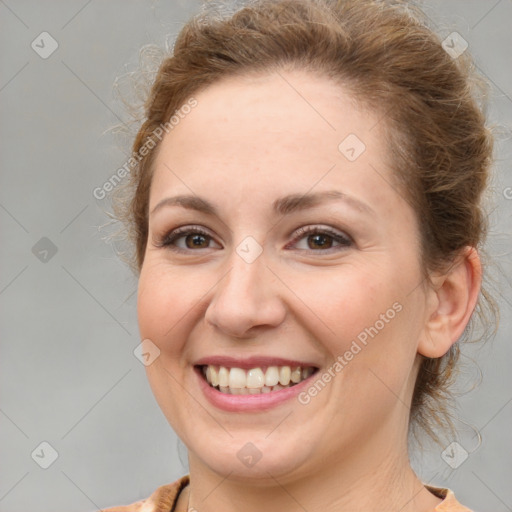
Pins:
x: 259, y: 402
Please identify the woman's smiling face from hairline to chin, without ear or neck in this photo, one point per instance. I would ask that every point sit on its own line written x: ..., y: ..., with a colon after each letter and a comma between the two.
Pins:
x: 307, y: 256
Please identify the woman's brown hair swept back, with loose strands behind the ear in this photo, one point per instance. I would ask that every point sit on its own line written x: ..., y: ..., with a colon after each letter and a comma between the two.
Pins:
x: 388, y: 59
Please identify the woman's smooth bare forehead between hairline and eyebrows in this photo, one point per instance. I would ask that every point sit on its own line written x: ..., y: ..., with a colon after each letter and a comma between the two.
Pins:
x: 277, y: 129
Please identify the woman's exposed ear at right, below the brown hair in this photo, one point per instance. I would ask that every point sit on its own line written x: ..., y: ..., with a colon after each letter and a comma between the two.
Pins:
x: 452, y: 299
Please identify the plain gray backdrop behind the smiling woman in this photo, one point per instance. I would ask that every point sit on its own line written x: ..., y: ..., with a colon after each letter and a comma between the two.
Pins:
x: 68, y: 324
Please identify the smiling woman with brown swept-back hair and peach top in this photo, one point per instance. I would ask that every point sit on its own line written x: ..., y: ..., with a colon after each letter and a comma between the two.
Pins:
x: 305, y: 211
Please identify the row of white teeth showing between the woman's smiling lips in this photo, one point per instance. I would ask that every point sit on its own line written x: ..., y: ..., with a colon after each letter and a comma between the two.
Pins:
x: 255, y: 381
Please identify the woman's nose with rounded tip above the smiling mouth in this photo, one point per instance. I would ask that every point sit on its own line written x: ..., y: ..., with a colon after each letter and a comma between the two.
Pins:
x: 246, y: 299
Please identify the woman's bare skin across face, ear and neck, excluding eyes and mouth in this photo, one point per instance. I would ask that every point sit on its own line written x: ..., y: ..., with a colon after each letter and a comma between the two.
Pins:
x: 249, y: 141
